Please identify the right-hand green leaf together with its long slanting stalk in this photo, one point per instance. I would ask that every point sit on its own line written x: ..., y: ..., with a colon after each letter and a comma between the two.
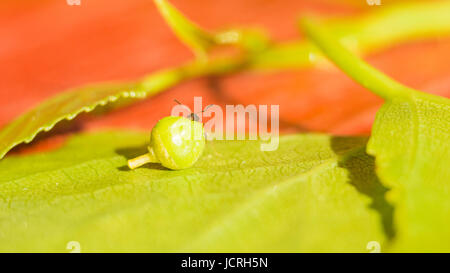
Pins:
x: 411, y: 143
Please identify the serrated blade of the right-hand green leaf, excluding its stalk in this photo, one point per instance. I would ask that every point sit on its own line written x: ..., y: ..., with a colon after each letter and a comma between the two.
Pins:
x: 411, y: 140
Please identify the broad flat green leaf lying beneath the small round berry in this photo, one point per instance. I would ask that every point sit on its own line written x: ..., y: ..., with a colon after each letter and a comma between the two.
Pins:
x: 315, y: 193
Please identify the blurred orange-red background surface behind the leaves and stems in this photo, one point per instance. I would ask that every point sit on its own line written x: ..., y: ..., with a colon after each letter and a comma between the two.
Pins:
x: 48, y: 46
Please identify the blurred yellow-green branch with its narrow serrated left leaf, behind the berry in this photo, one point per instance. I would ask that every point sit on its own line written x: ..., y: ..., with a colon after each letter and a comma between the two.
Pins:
x: 370, y: 32
